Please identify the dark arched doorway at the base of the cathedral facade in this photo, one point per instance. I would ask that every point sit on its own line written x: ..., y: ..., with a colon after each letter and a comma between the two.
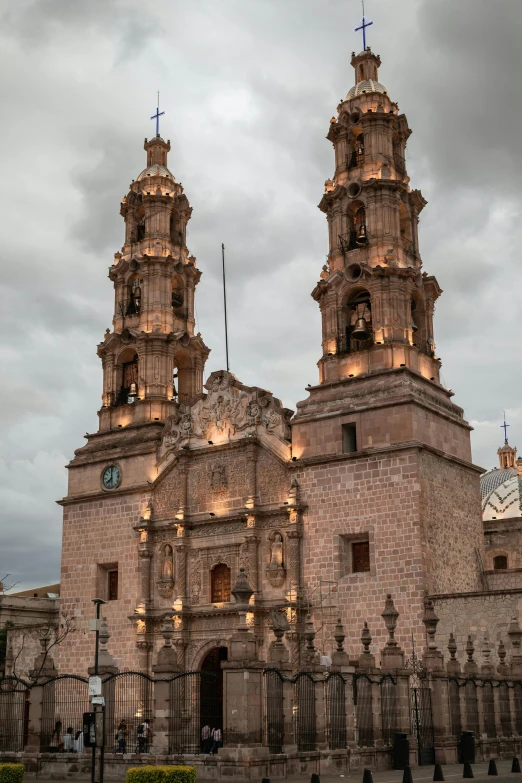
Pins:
x: 211, y: 698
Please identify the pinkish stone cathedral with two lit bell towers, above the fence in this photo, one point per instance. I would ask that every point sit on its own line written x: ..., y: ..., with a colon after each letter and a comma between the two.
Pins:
x: 368, y: 488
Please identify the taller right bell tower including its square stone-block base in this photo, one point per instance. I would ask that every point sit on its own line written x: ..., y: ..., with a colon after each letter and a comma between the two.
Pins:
x: 382, y: 453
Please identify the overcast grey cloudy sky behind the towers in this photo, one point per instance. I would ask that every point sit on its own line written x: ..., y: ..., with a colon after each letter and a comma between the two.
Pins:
x: 248, y: 87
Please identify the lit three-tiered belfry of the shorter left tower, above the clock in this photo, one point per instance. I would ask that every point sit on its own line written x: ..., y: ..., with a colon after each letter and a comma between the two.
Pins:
x: 152, y: 358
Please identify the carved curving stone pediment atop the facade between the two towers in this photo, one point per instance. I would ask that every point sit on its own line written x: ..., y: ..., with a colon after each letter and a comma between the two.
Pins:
x: 229, y: 411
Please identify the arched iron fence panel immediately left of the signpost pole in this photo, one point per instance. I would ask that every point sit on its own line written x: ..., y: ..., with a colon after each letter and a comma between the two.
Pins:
x: 64, y: 700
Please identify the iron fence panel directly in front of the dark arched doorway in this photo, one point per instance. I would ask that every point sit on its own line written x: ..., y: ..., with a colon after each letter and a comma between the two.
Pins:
x: 196, y: 712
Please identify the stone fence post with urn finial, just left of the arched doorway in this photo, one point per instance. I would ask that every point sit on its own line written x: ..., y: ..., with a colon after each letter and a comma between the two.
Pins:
x: 166, y: 666
